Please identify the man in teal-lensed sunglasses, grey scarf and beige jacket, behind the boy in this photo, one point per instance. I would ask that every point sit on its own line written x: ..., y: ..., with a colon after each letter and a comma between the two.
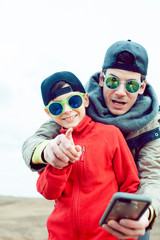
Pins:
x: 119, y: 95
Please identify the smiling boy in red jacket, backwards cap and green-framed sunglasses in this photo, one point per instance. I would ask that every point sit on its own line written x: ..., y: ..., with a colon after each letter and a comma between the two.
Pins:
x: 82, y: 189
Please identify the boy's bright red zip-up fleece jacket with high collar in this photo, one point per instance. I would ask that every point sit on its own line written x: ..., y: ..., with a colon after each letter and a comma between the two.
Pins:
x: 83, y: 190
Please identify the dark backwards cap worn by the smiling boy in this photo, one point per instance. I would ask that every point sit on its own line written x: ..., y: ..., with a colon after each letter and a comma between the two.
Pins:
x: 68, y: 77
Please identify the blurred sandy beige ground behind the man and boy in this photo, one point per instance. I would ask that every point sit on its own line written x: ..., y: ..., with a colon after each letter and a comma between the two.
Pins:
x: 25, y: 219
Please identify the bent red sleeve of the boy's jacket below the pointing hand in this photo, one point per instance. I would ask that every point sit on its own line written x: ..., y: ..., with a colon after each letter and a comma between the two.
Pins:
x: 52, y: 182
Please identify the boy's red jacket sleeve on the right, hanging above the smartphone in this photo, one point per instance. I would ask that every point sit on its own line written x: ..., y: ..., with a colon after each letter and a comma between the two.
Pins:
x: 124, y: 167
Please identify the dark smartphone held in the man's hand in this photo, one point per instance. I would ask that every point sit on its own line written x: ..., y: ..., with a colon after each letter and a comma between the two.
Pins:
x: 125, y: 205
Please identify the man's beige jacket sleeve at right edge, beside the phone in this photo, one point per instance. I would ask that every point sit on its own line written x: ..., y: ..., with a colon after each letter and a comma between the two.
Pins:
x: 148, y: 164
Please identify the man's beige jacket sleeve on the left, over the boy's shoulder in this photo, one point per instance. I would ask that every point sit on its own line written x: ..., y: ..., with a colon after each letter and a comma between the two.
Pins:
x: 47, y: 131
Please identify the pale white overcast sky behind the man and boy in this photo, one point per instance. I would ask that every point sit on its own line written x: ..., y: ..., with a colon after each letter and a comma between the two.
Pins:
x: 40, y: 37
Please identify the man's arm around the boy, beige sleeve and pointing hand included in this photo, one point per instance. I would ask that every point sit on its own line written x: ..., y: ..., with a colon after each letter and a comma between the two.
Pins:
x: 48, y: 146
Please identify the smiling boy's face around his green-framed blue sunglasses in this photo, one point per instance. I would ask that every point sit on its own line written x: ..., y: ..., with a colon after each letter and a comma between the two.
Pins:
x: 70, y: 117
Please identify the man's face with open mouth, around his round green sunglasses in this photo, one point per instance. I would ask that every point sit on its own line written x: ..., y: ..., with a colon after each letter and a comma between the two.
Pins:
x: 118, y: 100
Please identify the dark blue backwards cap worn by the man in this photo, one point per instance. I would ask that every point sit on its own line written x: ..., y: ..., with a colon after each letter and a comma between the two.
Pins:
x: 139, y: 53
